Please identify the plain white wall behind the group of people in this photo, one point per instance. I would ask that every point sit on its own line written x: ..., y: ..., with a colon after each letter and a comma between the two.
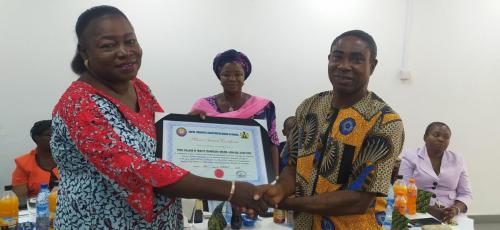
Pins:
x: 452, y: 50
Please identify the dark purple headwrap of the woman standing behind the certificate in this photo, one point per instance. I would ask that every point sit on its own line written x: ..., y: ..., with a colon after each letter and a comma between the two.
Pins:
x: 231, y: 56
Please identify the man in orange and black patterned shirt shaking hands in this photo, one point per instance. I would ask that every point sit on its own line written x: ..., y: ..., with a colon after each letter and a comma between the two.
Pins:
x: 343, y: 149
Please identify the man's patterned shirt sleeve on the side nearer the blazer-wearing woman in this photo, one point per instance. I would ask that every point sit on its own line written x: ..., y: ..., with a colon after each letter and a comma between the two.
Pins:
x: 373, y: 168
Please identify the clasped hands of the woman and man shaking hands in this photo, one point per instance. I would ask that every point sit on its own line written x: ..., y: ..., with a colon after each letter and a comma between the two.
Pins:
x: 254, y: 200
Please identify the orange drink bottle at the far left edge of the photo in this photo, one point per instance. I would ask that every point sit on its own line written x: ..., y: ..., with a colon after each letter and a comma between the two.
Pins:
x: 9, y: 209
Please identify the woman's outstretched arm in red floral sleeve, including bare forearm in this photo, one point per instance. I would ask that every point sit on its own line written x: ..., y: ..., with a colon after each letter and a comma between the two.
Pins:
x: 96, y: 139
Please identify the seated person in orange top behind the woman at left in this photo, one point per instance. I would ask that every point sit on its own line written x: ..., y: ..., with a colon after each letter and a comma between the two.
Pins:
x: 36, y: 167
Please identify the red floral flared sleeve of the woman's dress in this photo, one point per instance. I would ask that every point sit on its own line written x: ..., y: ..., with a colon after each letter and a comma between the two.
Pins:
x: 101, y: 145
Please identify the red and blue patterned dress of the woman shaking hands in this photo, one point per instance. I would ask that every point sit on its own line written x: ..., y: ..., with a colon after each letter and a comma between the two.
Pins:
x: 105, y: 153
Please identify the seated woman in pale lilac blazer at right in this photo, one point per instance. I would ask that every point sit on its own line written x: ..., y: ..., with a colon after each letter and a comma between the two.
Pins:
x: 439, y: 171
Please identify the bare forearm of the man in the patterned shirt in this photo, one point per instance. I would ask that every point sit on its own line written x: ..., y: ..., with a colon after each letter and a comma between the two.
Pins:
x: 337, y: 203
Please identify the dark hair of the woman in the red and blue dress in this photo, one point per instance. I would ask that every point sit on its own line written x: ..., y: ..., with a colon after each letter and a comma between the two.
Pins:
x: 77, y: 64
